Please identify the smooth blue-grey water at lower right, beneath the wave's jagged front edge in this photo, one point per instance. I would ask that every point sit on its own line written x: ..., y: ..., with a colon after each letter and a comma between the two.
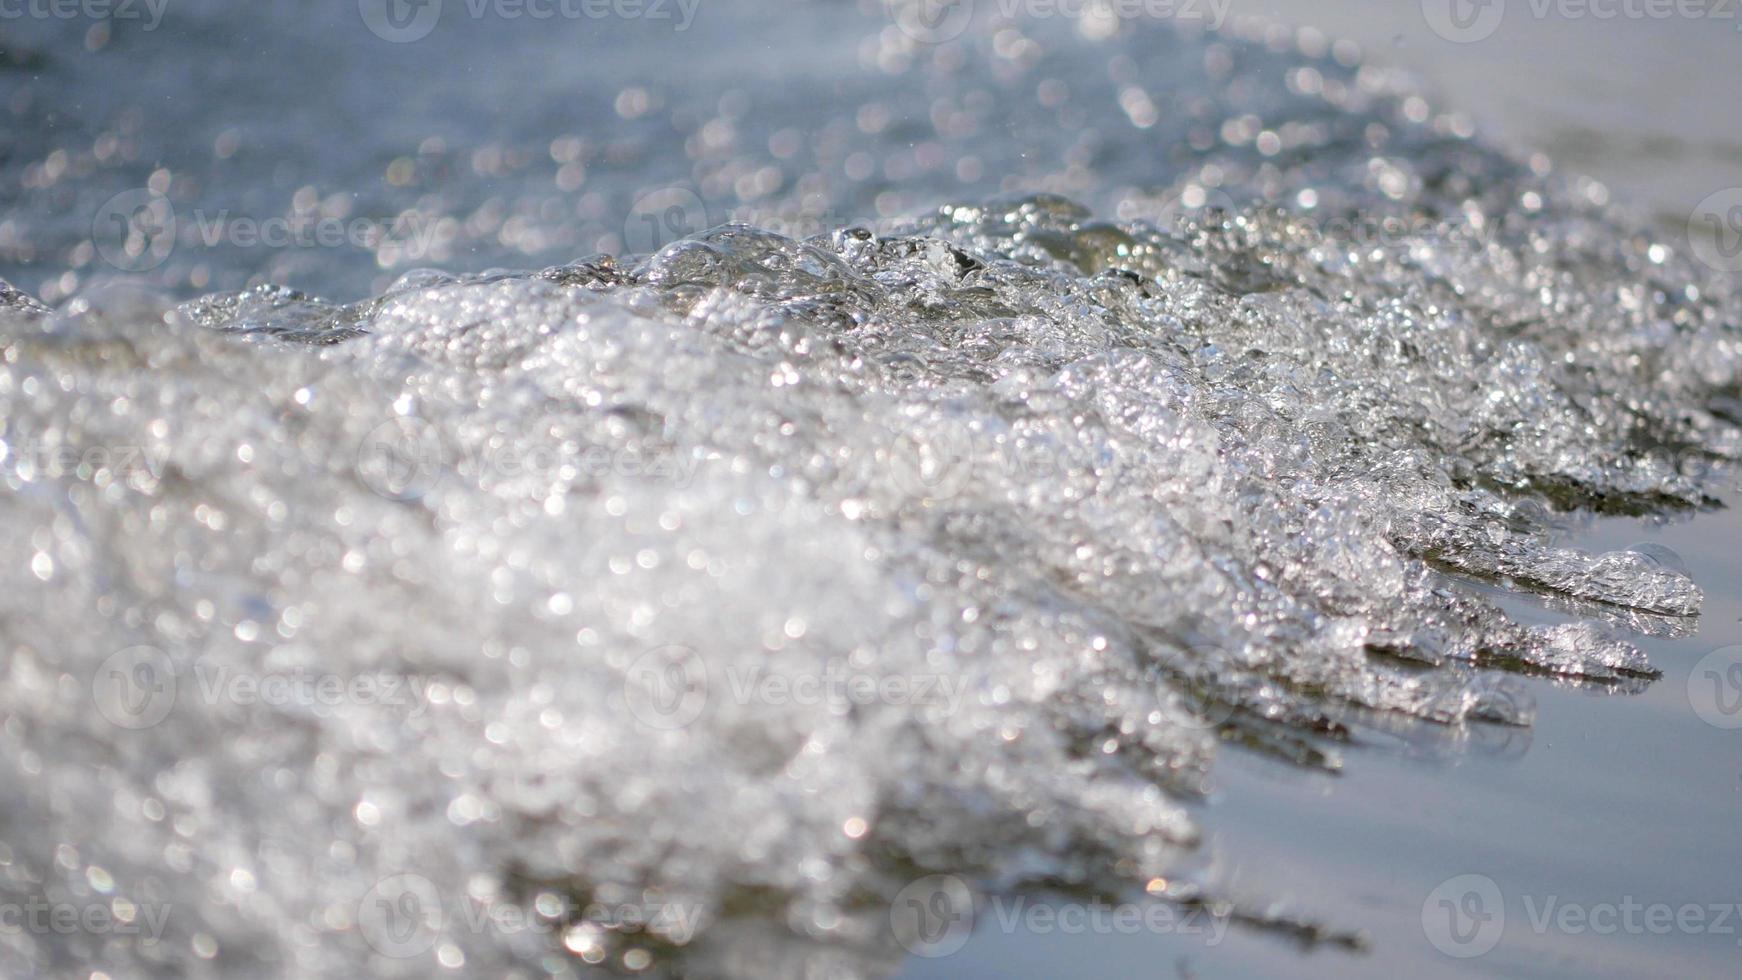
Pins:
x: 1605, y: 800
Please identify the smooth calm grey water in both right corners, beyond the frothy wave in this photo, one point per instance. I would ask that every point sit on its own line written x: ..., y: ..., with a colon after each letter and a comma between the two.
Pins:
x: 1607, y: 798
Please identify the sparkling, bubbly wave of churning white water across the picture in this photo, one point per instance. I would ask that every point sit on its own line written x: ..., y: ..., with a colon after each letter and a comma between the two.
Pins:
x: 675, y: 612
